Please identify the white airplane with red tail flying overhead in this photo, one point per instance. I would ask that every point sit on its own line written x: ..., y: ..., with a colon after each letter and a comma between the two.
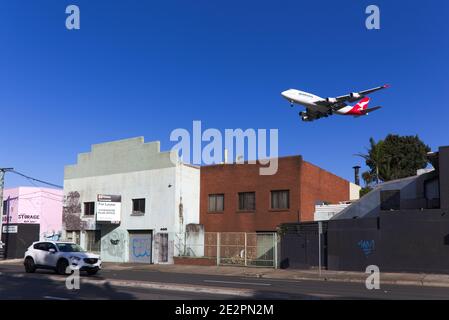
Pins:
x: 317, y: 107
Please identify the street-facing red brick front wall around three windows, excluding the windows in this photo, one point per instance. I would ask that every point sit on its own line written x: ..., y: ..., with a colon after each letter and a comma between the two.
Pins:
x: 230, y: 179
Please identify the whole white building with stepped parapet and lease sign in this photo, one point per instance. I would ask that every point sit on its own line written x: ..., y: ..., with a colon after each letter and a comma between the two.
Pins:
x: 127, y: 200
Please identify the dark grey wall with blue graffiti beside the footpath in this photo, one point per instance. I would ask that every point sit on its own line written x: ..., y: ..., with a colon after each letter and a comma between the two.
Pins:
x: 400, y: 241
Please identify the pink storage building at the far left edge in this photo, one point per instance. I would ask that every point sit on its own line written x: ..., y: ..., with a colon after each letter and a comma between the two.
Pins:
x: 30, y: 214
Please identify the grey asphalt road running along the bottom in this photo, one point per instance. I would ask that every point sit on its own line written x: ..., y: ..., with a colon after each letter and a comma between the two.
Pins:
x: 115, y: 284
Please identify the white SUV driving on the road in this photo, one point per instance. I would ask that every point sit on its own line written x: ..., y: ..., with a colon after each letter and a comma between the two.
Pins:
x: 58, y: 256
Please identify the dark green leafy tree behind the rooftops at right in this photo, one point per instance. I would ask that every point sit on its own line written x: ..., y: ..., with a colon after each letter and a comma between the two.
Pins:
x: 395, y: 157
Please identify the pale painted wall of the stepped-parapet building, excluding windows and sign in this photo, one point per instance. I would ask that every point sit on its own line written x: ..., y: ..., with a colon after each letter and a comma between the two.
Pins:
x: 134, y: 170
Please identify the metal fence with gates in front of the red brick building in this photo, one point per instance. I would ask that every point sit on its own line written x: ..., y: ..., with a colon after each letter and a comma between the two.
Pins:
x: 230, y: 248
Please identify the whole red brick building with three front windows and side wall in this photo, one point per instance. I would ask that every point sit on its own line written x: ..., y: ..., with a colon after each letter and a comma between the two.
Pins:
x: 235, y: 197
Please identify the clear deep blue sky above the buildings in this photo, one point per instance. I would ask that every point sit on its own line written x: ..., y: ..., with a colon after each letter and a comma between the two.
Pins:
x: 147, y: 67
